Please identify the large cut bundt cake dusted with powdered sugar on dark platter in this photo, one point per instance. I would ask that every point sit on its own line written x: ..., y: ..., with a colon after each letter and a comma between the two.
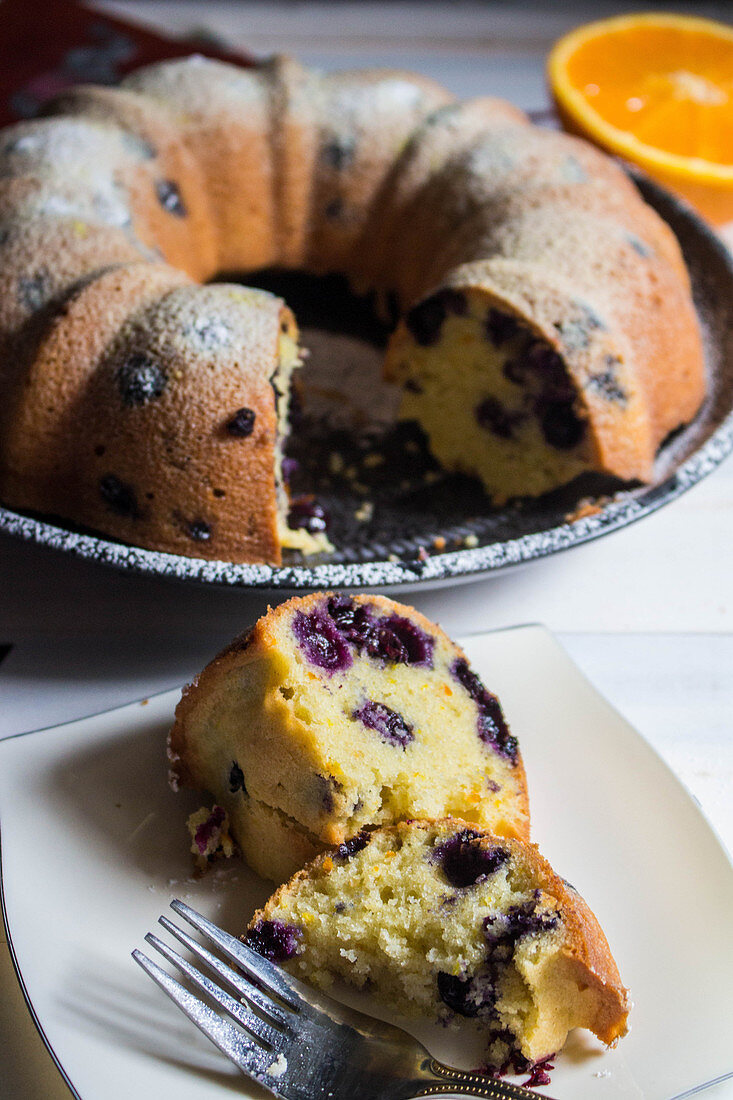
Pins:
x: 548, y: 326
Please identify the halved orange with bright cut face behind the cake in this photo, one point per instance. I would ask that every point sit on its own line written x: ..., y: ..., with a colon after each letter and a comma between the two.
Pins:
x: 657, y: 90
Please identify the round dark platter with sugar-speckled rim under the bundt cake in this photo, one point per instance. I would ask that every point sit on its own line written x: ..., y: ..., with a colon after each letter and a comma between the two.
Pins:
x: 400, y: 523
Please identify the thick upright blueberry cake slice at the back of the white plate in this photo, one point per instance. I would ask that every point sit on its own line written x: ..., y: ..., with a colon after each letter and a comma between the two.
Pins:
x: 334, y: 713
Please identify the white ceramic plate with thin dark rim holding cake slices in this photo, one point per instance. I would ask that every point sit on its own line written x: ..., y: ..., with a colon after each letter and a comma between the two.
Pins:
x: 94, y: 849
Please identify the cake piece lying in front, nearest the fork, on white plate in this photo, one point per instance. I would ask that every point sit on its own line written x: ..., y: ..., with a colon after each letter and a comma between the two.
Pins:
x: 445, y: 920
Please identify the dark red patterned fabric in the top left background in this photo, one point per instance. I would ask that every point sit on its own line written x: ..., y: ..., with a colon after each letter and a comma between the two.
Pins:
x: 48, y: 48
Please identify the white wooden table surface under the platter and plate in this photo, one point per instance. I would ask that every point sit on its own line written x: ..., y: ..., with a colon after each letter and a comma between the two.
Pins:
x: 647, y: 613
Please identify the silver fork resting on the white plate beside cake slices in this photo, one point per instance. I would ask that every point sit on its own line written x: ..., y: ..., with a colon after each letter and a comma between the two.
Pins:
x: 297, y: 1042
